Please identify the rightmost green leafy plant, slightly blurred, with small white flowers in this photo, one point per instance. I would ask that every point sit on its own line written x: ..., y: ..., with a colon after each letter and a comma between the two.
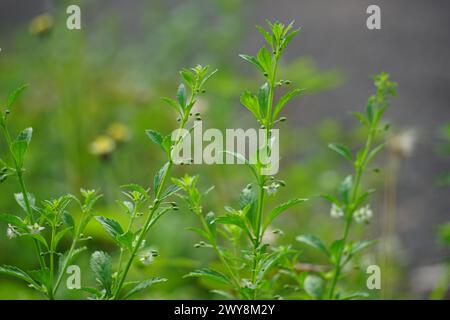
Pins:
x: 351, y: 204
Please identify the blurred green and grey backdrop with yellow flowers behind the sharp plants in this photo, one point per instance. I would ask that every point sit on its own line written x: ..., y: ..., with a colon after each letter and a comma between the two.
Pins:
x: 102, y: 85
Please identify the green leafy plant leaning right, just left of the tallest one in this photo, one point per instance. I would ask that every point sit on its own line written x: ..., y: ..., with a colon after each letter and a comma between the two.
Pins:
x: 140, y: 205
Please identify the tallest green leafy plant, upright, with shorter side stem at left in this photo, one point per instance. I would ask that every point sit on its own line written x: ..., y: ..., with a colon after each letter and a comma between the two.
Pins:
x: 245, y: 257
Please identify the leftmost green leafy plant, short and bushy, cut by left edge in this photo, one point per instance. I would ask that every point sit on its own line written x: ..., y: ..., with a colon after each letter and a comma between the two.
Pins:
x: 45, y: 225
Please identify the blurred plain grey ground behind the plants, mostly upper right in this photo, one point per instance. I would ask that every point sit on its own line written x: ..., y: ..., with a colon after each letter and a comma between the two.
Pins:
x: 413, y: 45
